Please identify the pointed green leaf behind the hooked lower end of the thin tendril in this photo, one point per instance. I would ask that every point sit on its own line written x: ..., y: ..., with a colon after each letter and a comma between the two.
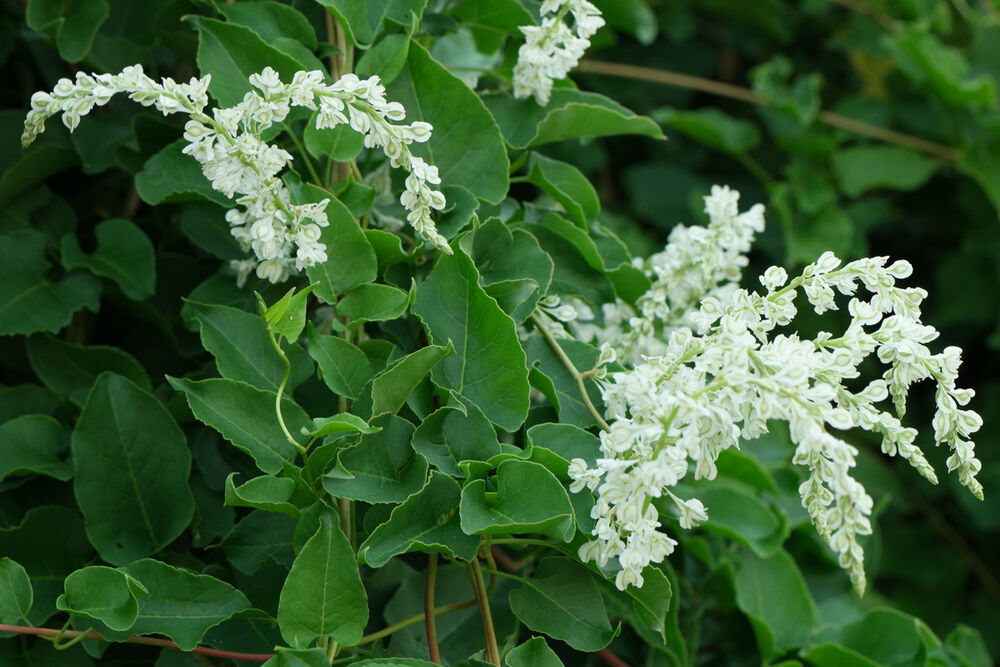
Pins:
x: 245, y: 416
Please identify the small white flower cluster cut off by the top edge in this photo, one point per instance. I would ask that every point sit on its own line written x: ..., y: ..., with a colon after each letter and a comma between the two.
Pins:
x: 553, y: 48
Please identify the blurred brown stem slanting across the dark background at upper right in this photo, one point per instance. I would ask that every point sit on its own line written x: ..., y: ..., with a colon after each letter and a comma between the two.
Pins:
x: 940, y: 151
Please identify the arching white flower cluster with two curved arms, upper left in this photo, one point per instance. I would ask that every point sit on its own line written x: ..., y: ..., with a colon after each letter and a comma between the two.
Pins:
x: 284, y: 237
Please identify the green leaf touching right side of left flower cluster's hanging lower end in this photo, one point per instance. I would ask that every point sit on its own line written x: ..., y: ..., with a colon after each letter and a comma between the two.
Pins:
x: 350, y: 258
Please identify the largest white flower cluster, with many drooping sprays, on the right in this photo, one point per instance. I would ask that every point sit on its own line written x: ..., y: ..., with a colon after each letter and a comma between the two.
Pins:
x: 723, y: 372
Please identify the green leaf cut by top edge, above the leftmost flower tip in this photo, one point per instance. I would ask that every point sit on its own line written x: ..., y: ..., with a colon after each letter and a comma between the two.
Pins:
x: 73, y: 23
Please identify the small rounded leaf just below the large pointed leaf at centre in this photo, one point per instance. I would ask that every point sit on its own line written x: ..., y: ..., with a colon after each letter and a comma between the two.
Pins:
x: 455, y: 434
